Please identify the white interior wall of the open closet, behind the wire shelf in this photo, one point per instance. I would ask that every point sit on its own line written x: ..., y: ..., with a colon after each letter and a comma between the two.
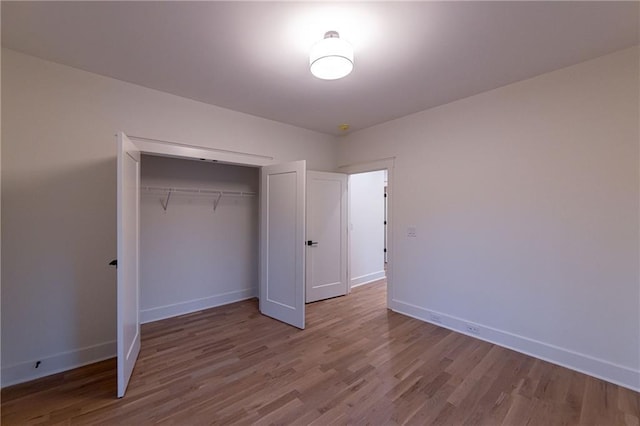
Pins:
x: 192, y: 257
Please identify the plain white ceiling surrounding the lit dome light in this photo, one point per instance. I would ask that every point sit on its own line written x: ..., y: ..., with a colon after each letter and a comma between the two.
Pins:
x: 253, y: 56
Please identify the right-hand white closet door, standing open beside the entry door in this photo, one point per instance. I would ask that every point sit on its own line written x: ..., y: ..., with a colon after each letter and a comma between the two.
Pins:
x: 282, y: 239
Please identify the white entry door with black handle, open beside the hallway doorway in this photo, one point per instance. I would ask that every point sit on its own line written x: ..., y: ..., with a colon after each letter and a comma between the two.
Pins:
x: 326, y: 268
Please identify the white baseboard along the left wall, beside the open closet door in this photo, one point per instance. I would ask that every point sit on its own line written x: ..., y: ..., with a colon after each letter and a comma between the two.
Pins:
x: 26, y: 371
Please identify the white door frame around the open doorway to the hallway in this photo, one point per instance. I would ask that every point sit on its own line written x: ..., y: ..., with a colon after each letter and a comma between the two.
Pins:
x: 374, y: 166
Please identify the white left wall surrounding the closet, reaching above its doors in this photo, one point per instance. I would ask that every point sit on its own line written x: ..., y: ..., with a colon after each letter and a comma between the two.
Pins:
x: 59, y: 200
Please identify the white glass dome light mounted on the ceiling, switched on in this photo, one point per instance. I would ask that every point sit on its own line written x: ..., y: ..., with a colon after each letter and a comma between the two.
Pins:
x: 331, y: 58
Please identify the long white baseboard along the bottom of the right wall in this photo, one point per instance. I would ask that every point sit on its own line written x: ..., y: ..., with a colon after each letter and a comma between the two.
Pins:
x: 602, y: 369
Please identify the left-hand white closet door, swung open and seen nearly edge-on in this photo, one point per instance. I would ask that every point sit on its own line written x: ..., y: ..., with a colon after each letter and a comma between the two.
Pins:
x: 128, y: 264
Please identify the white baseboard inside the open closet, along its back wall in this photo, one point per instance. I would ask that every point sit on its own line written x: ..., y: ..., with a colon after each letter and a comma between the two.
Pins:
x: 181, y: 308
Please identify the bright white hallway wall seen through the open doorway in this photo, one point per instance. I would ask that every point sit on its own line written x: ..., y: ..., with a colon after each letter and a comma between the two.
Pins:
x: 366, y: 227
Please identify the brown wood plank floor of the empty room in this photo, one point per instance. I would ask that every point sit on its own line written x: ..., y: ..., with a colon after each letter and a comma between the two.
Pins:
x: 356, y: 363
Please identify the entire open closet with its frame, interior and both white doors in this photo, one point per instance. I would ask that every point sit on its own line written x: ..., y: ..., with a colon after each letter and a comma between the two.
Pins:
x: 189, y: 239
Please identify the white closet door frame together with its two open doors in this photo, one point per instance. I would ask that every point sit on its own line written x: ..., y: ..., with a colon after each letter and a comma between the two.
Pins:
x: 281, y: 276
